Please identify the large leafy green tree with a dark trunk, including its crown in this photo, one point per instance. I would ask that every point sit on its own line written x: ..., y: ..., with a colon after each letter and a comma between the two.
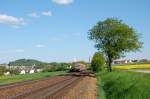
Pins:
x: 114, y: 38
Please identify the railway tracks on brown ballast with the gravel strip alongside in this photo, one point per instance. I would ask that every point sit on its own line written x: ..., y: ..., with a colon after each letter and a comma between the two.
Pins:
x: 71, y: 86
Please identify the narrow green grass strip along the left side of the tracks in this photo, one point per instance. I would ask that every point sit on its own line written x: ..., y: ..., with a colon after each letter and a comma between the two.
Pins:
x: 18, y: 78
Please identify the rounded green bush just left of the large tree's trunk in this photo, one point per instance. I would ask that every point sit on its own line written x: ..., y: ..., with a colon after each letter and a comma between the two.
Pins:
x: 98, y: 62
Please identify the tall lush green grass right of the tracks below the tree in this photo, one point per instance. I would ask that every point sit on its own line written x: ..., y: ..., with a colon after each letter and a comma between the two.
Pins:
x: 124, y: 85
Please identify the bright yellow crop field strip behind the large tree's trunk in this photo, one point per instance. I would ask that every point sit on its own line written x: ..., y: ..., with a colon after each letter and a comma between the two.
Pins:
x: 127, y: 67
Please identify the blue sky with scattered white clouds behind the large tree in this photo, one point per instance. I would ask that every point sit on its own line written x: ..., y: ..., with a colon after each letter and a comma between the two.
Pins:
x: 56, y: 30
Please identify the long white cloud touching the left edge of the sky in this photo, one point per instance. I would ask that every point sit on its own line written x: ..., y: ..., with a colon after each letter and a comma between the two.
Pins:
x: 11, y: 20
